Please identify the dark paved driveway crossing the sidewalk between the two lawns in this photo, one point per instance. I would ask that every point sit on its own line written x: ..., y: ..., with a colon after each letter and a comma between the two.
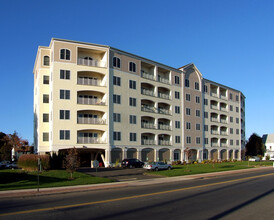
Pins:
x: 118, y: 174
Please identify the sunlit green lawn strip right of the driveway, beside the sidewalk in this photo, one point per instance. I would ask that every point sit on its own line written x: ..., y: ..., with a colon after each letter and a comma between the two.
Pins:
x: 181, y: 170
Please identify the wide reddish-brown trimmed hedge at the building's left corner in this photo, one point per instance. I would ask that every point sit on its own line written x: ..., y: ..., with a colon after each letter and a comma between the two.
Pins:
x: 29, y: 162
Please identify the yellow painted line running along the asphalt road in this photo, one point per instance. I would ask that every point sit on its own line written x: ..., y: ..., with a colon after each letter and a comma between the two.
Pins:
x: 130, y: 197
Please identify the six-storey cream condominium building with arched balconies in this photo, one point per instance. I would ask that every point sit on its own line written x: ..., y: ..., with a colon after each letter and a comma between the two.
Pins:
x: 111, y: 105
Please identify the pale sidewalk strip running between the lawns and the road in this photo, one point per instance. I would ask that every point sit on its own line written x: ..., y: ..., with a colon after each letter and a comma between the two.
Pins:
x: 81, y: 188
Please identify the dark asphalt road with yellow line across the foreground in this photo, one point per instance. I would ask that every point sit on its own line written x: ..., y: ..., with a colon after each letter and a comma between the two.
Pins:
x: 238, y: 196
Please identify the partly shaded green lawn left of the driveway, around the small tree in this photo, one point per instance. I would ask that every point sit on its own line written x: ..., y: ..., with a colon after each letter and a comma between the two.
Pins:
x: 18, y: 179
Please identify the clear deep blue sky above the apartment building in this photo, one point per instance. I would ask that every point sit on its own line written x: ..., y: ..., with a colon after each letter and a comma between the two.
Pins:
x: 230, y: 41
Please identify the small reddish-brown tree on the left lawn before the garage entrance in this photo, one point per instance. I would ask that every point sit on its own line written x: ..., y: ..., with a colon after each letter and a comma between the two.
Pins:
x: 72, y: 161
